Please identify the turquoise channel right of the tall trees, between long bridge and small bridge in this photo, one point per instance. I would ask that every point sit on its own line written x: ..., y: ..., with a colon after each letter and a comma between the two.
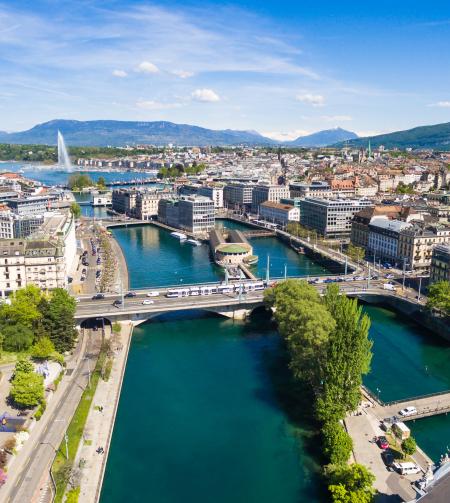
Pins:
x: 408, y: 360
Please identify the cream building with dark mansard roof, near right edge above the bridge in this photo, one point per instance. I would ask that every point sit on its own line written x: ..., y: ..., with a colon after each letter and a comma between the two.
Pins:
x: 417, y: 241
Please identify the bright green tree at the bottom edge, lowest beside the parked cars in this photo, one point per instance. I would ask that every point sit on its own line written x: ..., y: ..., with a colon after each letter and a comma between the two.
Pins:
x: 351, y: 484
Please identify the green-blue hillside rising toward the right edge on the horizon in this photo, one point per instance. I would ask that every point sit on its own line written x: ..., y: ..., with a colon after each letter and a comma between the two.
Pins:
x: 436, y: 137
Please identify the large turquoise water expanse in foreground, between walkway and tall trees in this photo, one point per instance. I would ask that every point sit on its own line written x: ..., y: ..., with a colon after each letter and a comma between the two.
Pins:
x: 201, y: 418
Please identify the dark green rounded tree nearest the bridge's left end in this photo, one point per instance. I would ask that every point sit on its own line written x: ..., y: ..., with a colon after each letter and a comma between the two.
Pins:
x: 58, y: 318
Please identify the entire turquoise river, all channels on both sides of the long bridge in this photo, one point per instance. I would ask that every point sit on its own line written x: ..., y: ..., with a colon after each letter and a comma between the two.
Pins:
x: 202, y: 416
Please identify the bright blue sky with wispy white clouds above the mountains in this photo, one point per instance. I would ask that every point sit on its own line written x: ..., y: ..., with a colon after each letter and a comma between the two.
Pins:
x: 282, y: 68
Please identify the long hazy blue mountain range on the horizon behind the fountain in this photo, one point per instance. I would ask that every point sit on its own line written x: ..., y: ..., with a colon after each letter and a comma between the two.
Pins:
x: 120, y: 133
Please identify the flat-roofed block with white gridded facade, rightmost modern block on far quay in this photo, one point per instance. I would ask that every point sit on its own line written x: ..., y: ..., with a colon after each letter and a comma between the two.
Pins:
x: 331, y: 217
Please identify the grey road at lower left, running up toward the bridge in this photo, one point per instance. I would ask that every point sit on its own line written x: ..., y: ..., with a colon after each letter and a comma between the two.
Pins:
x: 35, y: 458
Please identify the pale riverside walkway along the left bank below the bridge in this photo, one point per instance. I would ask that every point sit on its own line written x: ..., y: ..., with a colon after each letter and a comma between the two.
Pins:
x: 100, y: 422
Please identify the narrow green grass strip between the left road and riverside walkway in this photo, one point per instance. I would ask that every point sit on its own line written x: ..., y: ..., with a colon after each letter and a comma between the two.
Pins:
x: 61, y: 466
